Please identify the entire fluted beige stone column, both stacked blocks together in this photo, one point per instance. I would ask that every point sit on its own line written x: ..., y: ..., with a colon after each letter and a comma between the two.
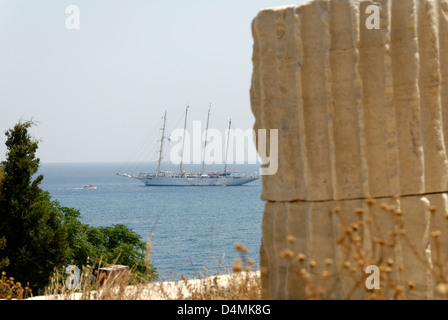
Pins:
x: 361, y: 113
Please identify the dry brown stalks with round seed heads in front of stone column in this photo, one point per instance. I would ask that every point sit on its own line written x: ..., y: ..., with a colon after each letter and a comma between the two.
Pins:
x: 364, y: 242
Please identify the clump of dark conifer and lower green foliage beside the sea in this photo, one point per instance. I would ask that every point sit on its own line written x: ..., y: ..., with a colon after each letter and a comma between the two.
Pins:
x: 38, y: 235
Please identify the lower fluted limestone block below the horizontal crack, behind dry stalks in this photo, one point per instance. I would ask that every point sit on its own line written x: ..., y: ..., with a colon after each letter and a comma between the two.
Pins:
x: 318, y: 228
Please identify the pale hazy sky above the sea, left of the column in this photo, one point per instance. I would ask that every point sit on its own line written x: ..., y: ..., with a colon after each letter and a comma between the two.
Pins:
x: 98, y: 92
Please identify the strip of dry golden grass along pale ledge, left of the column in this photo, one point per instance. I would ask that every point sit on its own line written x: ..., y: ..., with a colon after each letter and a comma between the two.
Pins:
x: 243, y: 283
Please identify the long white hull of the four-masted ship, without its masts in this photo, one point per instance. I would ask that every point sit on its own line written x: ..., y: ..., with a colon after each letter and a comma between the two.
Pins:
x: 182, y: 180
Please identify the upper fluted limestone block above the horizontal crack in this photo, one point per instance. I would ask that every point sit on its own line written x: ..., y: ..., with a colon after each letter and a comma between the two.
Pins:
x: 360, y: 113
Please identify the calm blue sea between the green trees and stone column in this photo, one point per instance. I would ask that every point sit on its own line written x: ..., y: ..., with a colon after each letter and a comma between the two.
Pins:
x: 193, y: 230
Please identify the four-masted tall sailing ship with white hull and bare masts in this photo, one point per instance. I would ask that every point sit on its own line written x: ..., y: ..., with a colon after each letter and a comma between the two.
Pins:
x: 183, y: 178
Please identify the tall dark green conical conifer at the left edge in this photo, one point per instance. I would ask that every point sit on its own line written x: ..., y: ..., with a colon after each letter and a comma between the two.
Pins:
x: 30, y: 223
